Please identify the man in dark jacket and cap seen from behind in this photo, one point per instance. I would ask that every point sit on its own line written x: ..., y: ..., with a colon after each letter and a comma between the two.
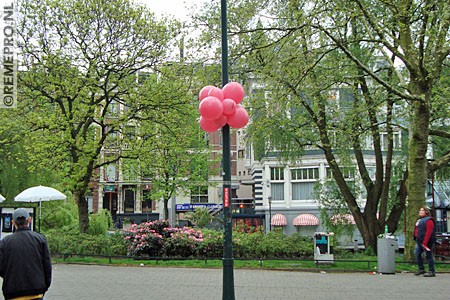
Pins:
x: 25, y: 263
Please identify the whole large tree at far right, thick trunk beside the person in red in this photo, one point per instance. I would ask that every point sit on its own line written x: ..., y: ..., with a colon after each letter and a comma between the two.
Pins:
x: 415, y: 35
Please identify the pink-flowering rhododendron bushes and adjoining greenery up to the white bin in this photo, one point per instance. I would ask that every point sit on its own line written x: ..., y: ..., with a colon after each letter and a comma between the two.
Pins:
x: 159, y: 239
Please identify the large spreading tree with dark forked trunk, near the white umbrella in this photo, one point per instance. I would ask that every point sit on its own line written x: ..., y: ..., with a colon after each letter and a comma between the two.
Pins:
x: 80, y: 62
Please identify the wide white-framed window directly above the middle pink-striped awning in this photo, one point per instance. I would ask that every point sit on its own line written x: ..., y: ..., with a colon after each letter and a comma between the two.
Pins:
x: 303, y: 181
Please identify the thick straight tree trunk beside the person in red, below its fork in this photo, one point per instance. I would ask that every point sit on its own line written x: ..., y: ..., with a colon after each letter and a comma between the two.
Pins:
x: 417, y: 168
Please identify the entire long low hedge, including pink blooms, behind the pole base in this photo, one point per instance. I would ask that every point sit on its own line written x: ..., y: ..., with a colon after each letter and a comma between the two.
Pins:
x: 179, y: 242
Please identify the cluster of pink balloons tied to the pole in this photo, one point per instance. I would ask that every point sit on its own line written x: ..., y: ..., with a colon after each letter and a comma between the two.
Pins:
x: 219, y: 107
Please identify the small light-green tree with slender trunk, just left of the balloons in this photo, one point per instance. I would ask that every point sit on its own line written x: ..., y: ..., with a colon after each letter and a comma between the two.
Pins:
x: 175, y: 157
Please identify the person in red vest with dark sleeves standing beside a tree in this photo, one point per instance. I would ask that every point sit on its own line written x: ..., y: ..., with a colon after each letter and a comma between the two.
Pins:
x: 425, y: 237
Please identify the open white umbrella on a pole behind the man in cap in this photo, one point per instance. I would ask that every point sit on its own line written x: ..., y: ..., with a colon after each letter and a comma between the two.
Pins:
x: 38, y: 194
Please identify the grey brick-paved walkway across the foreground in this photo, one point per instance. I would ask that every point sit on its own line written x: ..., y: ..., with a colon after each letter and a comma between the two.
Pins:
x: 75, y: 282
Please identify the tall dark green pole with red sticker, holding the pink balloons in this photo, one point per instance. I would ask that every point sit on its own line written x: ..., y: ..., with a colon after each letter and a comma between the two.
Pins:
x: 227, y: 262
